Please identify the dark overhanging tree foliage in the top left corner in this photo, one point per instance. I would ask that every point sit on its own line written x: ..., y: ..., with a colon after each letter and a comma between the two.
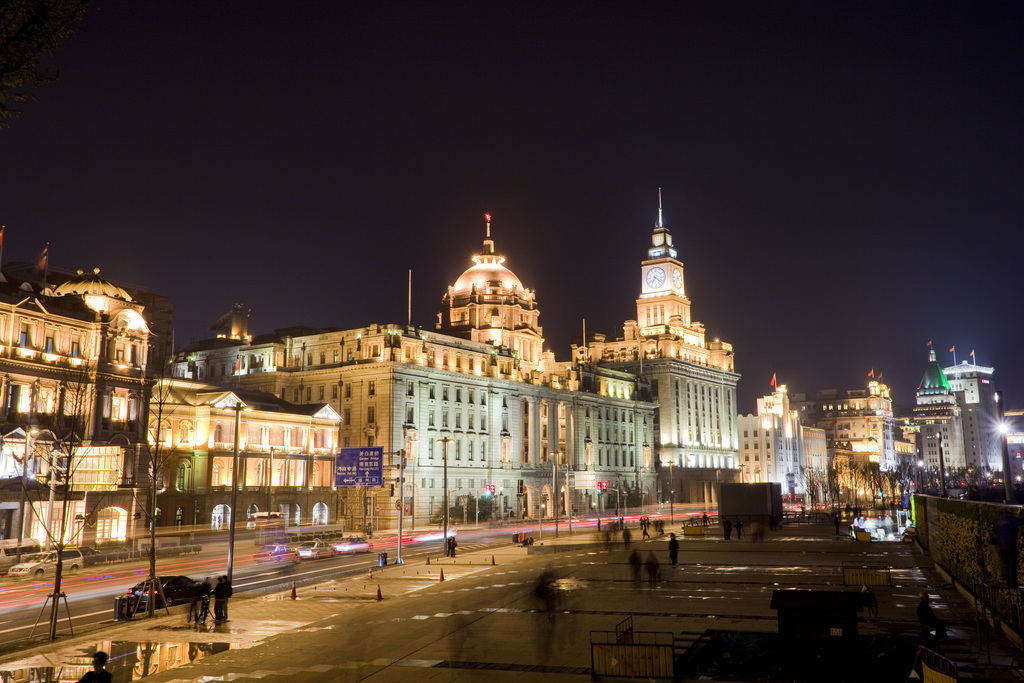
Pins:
x: 29, y: 31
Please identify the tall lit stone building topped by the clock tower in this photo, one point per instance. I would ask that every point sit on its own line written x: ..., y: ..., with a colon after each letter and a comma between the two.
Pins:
x: 693, y: 380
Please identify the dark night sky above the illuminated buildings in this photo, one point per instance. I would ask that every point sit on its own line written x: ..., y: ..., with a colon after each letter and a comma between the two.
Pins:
x: 843, y: 181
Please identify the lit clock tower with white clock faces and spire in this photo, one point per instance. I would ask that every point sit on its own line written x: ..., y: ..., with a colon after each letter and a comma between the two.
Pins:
x: 663, y: 304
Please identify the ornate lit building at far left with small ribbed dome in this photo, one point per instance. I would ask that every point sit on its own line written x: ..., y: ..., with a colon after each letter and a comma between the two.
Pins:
x: 73, y: 364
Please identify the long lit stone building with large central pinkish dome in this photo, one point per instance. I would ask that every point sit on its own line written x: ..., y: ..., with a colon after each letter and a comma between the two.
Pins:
x: 478, y: 389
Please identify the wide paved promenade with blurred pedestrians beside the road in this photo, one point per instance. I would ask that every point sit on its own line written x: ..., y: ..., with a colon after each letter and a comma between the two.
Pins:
x: 484, y: 620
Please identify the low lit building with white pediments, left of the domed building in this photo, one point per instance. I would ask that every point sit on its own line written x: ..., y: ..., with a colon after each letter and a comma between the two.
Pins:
x: 286, y: 455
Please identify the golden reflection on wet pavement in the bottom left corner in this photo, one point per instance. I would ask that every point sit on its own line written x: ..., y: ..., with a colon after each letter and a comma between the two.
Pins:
x: 130, y: 661
